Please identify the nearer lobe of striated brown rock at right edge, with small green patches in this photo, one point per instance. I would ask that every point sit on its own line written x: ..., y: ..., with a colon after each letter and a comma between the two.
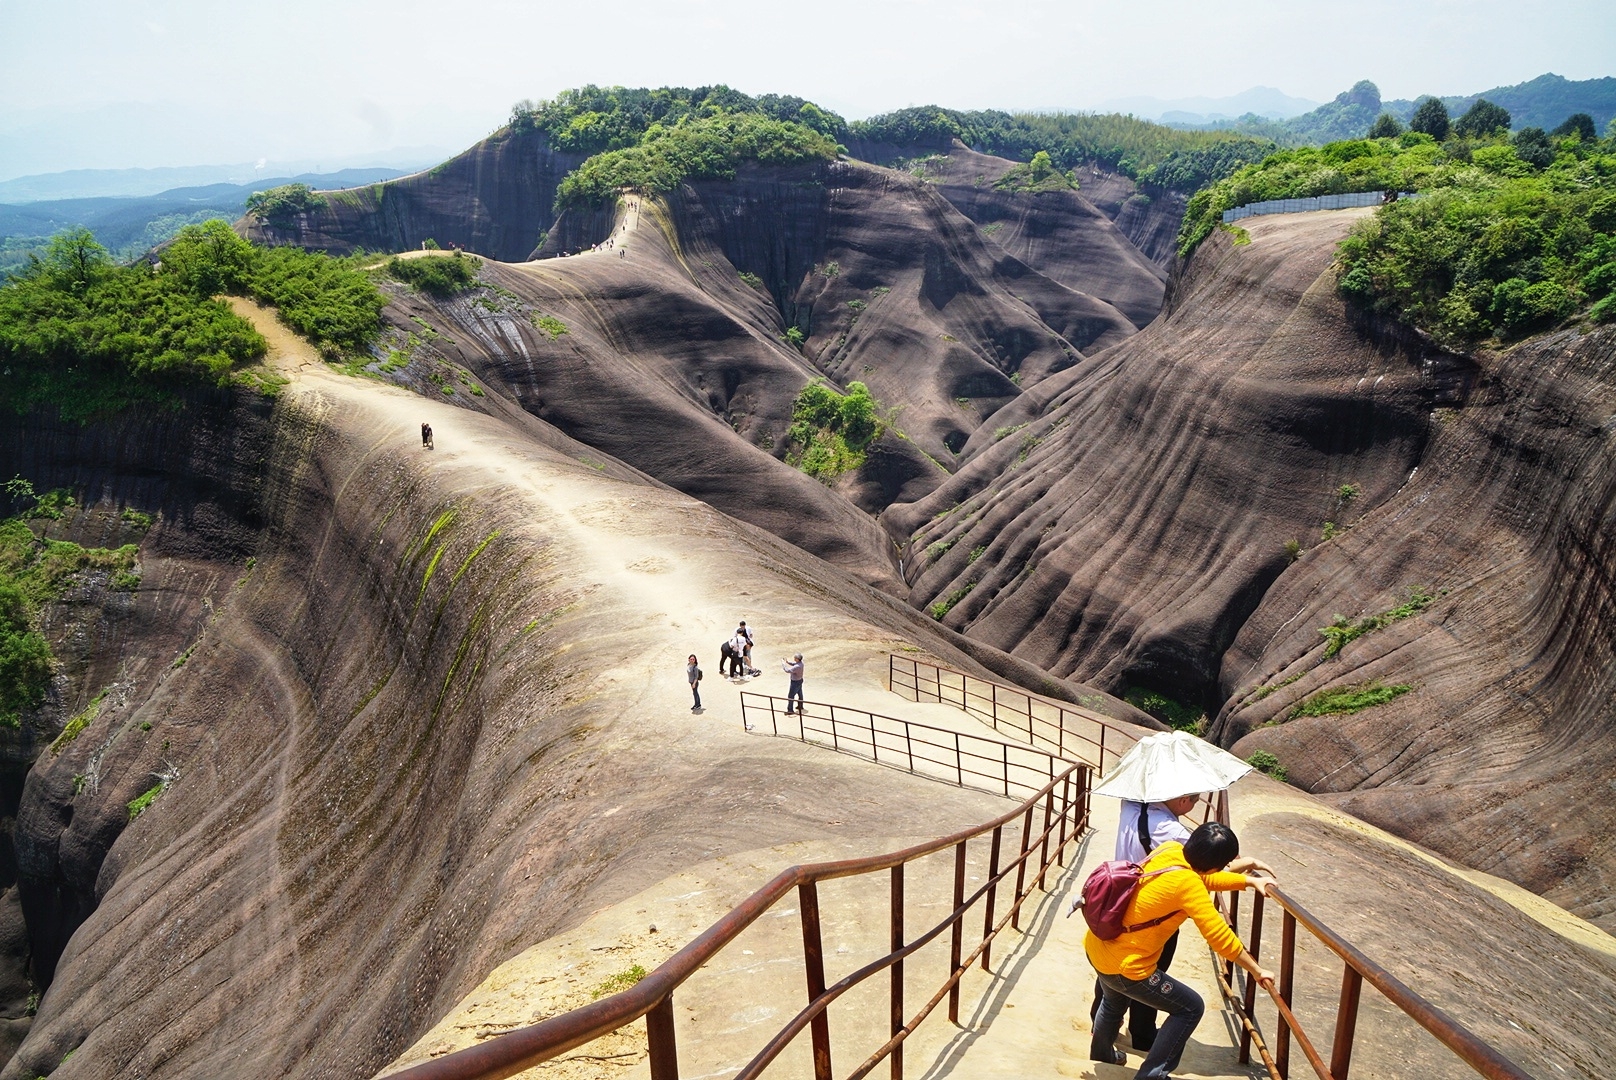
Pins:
x: 1502, y: 753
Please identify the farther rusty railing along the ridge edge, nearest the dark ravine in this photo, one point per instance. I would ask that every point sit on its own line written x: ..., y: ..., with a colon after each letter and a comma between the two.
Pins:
x: 1069, y: 732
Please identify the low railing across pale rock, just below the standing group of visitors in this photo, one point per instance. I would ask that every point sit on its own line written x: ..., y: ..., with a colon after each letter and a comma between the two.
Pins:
x: 966, y: 761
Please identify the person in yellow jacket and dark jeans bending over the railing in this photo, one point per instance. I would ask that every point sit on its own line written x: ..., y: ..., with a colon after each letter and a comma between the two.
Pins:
x: 1127, y: 964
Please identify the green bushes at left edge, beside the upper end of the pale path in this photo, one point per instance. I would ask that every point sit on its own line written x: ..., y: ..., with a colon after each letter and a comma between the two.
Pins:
x: 91, y: 337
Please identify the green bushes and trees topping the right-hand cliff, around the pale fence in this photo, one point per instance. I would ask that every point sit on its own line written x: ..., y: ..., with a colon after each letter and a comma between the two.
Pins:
x: 1510, y: 235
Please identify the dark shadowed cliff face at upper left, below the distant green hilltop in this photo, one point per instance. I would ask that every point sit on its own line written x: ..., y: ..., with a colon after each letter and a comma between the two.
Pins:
x: 494, y: 200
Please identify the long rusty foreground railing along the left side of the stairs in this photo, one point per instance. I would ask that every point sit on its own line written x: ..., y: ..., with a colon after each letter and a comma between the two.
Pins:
x: 1042, y: 830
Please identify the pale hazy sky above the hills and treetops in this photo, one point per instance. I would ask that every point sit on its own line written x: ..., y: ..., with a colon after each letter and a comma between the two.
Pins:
x: 145, y: 83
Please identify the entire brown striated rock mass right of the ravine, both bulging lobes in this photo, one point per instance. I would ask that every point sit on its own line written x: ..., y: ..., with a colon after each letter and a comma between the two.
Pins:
x: 1137, y: 533
